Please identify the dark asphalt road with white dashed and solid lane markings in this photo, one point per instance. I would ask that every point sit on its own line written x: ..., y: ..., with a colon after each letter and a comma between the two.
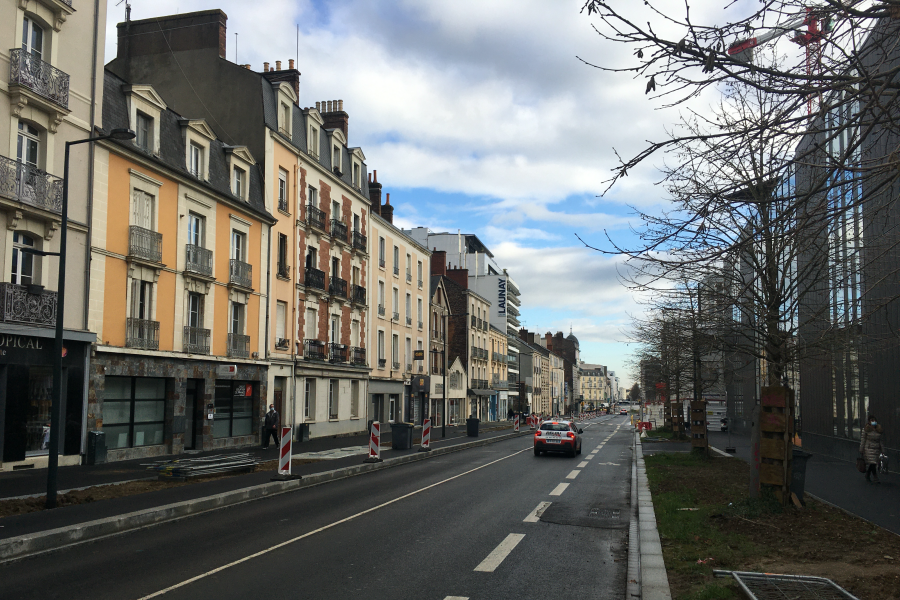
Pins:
x: 461, y: 525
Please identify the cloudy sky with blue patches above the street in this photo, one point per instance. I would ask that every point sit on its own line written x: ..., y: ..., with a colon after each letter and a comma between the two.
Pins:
x: 478, y: 117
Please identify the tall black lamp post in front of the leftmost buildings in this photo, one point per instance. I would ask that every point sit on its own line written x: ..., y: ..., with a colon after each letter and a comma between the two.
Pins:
x: 56, y: 398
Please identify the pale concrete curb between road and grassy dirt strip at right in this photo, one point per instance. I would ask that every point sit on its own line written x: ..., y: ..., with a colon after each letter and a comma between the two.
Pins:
x: 653, y: 579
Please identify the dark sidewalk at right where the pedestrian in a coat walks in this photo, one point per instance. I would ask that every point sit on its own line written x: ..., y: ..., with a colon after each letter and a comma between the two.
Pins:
x: 839, y: 483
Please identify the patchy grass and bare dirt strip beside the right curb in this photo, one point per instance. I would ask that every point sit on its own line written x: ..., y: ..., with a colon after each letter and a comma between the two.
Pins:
x: 729, y: 531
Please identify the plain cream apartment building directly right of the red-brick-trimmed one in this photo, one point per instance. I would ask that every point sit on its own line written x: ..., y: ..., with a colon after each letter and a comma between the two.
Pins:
x: 398, y: 326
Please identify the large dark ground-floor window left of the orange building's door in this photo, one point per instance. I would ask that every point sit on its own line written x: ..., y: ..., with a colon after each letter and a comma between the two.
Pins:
x: 134, y: 411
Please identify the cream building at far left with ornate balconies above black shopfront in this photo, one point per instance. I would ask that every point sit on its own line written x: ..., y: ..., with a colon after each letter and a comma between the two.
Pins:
x: 52, y: 79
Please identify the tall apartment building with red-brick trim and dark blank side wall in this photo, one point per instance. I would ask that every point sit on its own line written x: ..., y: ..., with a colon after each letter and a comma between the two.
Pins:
x: 315, y: 184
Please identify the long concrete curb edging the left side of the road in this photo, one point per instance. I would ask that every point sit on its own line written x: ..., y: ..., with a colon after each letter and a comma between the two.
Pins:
x: 54, y: 539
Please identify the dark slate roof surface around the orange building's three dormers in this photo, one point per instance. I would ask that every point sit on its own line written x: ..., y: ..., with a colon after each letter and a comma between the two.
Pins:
x: 172, y: 149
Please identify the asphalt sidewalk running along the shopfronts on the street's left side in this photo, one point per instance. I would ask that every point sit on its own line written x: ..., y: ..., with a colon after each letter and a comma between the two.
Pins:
x: 21, y: 483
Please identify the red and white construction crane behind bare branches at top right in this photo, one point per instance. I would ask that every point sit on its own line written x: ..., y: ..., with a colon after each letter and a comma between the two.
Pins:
x: 808, y: 31
